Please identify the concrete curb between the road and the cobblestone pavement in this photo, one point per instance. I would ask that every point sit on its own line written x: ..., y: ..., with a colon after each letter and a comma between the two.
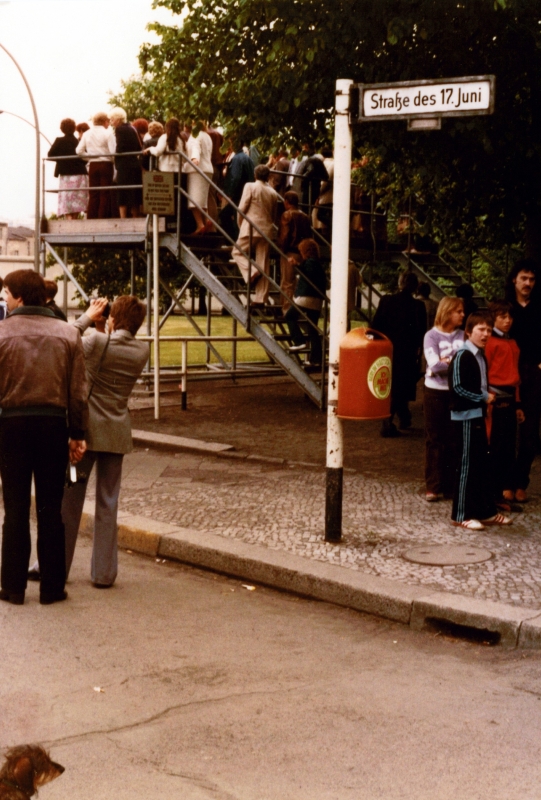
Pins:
x: 410, y: 605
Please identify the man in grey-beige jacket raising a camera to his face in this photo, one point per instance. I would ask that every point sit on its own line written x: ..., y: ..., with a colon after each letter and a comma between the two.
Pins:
x: 114, y: 362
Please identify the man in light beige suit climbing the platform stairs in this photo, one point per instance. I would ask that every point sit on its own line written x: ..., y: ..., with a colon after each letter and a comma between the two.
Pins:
x: 259, y: 202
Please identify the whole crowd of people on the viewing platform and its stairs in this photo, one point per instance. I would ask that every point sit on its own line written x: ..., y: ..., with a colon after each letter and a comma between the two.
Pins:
x: 114, y: 153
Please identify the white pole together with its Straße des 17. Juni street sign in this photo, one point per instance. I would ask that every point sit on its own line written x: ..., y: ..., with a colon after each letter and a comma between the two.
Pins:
x: 423, y: 104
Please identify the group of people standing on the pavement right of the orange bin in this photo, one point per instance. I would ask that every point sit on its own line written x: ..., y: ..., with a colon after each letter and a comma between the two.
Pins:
x: 482, y: 391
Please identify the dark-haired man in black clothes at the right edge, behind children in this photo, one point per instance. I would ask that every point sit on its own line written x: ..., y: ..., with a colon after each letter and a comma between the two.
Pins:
x: 522, y: 293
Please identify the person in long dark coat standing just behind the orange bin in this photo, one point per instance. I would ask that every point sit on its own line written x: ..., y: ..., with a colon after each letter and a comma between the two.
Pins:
x: 403, y: 320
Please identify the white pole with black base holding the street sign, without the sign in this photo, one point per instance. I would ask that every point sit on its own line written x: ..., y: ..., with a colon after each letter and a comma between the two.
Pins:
x: 338, y: 311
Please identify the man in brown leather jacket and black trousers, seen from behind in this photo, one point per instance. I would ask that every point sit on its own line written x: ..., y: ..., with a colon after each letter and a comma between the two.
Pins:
x: 44, y: 414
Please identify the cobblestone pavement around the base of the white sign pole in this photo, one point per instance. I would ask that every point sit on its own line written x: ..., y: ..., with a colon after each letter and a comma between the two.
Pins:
x: 282, y: 507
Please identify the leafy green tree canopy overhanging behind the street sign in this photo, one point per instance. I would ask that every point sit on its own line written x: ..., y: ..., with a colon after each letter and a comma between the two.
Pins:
x: 267, y: 69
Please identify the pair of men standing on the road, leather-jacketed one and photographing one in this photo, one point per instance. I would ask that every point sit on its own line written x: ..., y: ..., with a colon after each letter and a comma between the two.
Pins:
x: 64, y: 392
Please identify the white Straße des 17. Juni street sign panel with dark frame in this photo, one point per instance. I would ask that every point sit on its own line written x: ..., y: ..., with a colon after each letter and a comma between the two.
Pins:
x: 445, y: 97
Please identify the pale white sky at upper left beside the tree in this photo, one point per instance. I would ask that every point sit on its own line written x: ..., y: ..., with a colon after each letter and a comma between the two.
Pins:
x: 72, y: 52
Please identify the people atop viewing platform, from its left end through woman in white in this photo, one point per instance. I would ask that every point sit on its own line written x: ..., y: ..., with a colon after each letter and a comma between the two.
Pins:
x: 114, y: 153
